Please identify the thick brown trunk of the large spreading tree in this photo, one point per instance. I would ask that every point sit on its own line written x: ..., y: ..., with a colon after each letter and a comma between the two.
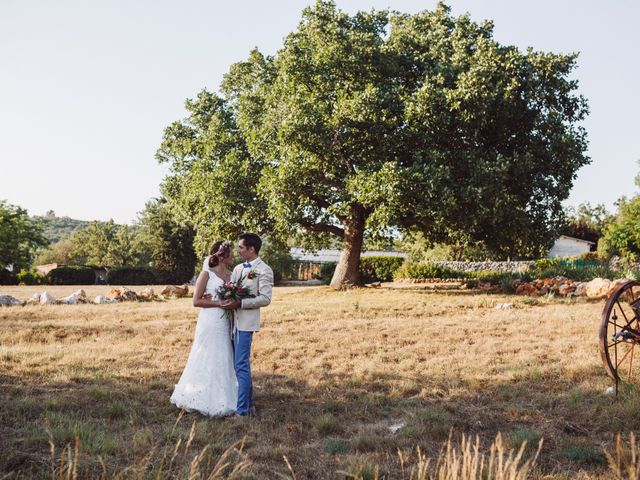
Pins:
x: 347, y: 272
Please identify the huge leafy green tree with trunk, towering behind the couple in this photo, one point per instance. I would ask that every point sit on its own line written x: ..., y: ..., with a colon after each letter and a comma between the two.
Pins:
x: 377, y: 122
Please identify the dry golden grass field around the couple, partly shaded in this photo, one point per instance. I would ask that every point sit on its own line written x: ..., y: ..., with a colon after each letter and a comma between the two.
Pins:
x: 333, y: 371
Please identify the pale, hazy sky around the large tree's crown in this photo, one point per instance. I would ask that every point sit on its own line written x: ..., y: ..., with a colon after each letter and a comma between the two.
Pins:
x: 87, y: 87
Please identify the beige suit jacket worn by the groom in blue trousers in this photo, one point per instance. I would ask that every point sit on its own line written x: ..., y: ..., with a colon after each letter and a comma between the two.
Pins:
x: 261, y: 285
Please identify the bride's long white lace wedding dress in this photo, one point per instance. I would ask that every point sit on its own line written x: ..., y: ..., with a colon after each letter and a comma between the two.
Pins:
x: 208, y: 383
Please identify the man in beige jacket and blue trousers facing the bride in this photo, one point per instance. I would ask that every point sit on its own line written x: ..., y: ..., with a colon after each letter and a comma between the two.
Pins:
x: 257, y: 276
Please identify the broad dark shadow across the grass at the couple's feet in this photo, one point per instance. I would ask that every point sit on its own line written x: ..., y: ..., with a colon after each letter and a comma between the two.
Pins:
x: 333, y: 425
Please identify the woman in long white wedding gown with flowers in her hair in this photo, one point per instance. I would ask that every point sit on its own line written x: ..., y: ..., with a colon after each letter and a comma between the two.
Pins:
x: 208, y: 383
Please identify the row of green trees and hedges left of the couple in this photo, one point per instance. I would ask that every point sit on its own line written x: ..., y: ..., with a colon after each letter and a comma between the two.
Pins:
x: 156, y: 240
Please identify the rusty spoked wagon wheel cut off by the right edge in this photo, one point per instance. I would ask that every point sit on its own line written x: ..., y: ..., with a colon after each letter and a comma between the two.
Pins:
x: 620, y: 333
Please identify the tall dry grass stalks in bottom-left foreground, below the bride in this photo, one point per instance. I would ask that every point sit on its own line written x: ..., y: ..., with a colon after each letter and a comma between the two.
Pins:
x: 67, y: 464
